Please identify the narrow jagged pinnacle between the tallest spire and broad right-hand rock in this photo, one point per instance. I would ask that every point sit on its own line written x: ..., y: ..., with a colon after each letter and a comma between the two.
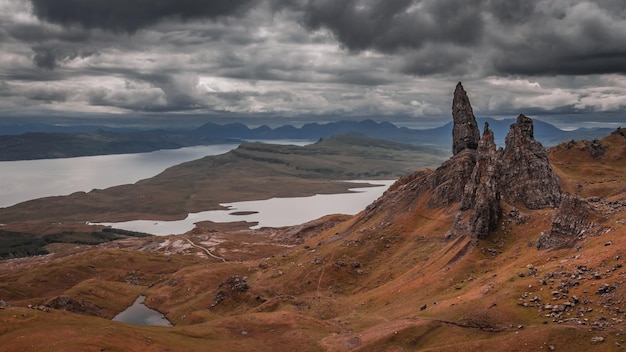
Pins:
x: 480, y: 210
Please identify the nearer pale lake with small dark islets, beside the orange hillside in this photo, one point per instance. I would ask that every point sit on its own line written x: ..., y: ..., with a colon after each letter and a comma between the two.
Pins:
x: 274, y: 212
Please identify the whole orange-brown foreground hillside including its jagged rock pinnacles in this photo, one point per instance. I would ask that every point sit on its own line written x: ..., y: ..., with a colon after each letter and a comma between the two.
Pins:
x: 519, y: 249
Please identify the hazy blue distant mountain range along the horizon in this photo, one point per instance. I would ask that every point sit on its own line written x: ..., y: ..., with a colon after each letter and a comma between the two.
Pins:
x: 60, y: 142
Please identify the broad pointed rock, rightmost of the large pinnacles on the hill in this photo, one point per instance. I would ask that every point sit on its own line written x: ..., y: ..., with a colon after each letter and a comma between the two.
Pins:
x: 527, y: 176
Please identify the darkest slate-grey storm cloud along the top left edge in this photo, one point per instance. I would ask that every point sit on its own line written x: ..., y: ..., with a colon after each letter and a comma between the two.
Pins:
x: 131, y: 15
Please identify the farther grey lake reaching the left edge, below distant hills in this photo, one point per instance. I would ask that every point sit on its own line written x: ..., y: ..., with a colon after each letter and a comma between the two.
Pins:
x: 29, y: 179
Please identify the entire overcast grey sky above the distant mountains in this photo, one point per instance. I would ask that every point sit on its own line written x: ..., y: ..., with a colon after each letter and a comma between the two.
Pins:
x: 564, y: 60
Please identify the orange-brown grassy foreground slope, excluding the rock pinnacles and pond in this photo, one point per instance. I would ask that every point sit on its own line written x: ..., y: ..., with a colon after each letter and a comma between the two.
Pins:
x: 312, y: 297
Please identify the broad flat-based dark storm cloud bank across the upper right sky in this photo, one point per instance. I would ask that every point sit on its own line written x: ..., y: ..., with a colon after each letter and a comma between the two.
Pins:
x: 506, y: 37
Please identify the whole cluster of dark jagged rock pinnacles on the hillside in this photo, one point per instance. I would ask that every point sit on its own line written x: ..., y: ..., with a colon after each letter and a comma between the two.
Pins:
x: 519, y: 174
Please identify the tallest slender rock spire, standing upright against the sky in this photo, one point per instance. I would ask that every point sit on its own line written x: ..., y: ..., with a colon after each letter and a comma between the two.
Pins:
x: 465, y: 134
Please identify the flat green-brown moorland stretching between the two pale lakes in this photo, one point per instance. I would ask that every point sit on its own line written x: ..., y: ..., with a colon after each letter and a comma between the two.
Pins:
x: 252, y: 171
